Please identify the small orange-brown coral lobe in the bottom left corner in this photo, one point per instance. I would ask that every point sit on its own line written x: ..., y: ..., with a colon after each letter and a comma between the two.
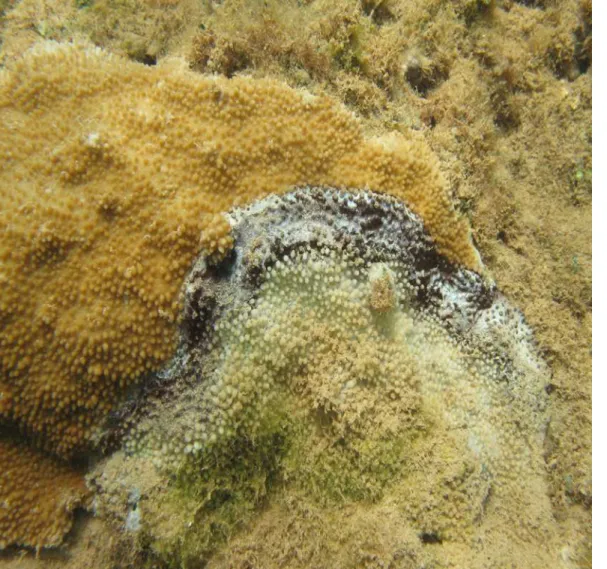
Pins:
x: 36, y: 504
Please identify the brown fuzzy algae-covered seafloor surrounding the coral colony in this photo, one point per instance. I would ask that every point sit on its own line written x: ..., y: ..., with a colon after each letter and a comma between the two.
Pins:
x: 501, y: 92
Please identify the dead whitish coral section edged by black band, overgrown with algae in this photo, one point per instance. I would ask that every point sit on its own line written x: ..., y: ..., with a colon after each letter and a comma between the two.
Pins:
x: 336, y: 355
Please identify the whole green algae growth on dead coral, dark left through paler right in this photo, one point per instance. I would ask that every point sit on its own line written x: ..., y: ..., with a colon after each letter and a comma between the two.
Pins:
x: 220, y: 492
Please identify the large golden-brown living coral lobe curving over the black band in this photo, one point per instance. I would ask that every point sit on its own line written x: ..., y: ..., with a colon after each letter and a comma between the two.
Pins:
x: 113, y: 176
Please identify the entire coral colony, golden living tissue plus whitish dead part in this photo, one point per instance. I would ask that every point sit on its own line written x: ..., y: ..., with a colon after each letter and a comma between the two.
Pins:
x: 226, y: 284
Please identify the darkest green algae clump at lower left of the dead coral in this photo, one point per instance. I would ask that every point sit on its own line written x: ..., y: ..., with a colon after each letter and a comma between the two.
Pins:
x: 219, y: 492
